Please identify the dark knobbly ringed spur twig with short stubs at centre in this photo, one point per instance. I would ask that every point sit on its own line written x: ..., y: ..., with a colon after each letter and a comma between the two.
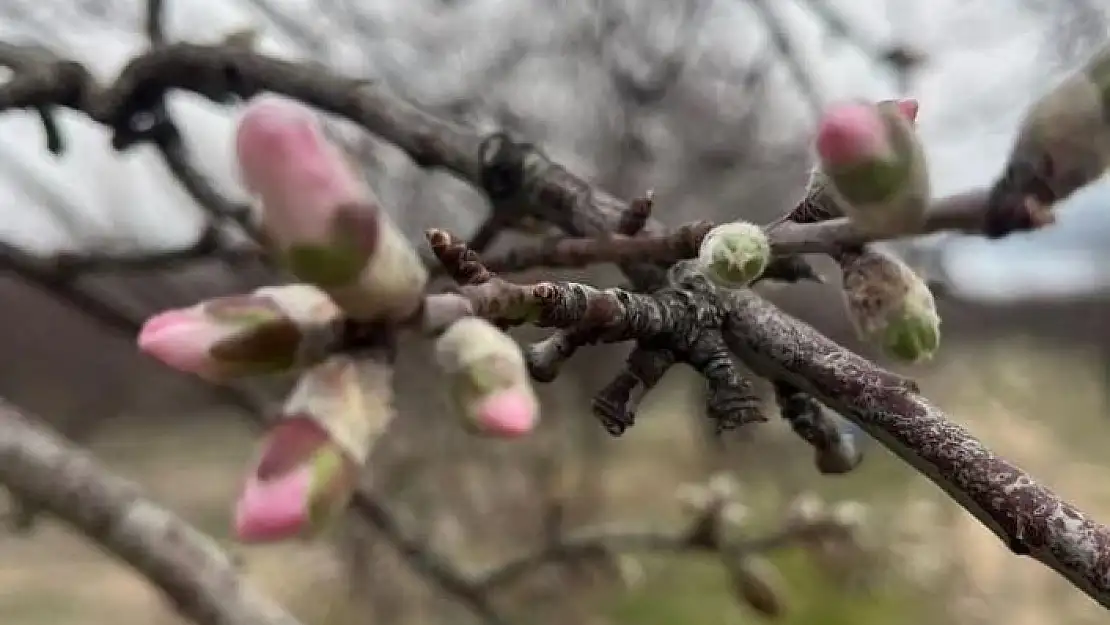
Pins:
x: 678, y: 325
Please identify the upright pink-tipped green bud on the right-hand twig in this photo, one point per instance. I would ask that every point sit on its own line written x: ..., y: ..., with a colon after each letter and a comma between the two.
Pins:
x: 874, y: 165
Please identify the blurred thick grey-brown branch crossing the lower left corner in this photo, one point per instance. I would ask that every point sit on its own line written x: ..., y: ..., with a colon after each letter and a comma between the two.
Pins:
x: 188, y: 567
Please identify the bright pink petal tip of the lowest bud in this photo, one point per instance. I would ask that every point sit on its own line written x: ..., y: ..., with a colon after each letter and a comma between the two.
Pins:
x: 274, y: 510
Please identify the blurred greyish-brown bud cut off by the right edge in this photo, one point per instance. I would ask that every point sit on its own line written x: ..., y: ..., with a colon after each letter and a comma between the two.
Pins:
x: 1063, y: 142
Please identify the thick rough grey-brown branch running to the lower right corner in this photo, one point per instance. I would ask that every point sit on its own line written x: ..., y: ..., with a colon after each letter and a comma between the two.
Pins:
x: 1031, y: 519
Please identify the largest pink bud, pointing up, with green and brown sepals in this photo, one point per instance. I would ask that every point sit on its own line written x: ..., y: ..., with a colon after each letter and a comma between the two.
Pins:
x: 324, y: 221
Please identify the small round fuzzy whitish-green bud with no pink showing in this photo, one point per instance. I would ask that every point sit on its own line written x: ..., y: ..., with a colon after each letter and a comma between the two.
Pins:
x: 734, y: 255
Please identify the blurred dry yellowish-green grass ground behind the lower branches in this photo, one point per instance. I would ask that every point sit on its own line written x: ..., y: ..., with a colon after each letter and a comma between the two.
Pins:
x: 1045, y: 411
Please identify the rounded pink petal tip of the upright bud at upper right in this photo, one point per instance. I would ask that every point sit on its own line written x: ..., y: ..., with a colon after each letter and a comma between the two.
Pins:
x: 851, y: 134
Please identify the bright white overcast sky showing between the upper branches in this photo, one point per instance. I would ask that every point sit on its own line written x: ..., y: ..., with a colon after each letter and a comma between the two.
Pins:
x: 988, y: 62
